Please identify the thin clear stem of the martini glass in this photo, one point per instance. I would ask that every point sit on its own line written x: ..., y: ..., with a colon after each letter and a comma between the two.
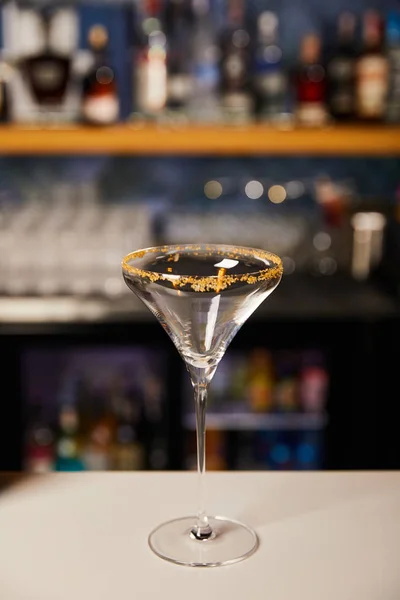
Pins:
x: 202, y: 529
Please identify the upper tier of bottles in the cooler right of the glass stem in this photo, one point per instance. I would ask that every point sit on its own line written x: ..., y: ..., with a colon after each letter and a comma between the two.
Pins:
x: 268, y: 391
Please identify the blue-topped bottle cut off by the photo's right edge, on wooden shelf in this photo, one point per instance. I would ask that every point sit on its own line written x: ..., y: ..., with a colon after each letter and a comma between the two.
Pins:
x: 393, y: 54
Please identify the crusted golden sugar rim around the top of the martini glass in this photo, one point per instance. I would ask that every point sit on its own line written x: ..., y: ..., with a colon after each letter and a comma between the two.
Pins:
x: 201, y: 283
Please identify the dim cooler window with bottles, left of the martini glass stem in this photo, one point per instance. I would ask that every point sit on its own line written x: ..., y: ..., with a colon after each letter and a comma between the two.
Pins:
x: 94, y: 409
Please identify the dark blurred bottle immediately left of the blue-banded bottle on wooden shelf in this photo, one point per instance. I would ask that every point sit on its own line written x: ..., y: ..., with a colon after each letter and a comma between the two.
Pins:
x: 236, y: 97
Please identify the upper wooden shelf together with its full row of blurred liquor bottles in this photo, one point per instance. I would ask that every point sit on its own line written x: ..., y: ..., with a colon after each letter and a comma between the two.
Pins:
x: 178, y: 65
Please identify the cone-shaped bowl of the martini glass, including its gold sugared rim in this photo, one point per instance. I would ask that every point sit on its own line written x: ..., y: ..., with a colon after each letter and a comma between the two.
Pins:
x: 202, y: 295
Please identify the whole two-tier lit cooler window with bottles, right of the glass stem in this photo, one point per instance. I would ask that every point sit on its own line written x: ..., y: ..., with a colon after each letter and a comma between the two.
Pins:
x: 266, y: 410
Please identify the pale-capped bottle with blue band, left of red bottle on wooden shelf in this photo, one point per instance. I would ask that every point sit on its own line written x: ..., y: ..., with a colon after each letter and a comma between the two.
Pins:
x: 269, y: 81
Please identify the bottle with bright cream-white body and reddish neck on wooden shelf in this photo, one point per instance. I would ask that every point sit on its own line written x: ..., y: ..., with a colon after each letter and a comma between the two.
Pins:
x: 150, y: 64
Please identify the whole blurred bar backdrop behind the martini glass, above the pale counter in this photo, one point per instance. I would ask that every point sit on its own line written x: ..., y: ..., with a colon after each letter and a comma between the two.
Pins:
x: 261, y: 123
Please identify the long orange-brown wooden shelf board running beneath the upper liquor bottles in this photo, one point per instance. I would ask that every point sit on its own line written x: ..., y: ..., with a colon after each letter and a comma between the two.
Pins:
x: 189, y: 140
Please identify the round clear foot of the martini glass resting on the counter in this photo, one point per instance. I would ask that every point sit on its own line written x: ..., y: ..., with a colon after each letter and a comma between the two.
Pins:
x: 231, y: 543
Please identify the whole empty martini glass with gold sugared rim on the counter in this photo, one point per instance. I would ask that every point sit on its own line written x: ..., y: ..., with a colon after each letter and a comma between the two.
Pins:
x: 201, y: 295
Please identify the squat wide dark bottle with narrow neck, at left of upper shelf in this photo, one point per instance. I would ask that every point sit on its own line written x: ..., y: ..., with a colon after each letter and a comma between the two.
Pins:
x: 47, y: 73
